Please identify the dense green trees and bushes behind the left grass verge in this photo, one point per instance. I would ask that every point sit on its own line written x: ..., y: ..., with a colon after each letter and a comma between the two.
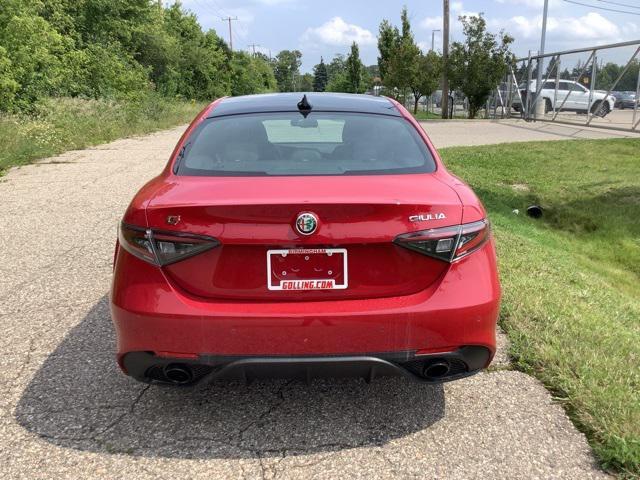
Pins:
x: 116, y: 48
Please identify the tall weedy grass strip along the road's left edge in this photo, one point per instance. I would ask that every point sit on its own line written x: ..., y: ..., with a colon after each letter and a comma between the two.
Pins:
x: 66, y: 124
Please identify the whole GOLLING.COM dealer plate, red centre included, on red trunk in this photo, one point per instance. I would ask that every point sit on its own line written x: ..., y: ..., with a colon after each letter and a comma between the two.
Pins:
x: 307, y: 269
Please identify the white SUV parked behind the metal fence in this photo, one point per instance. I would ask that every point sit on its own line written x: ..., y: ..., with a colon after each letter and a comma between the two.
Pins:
x: 570, y: 97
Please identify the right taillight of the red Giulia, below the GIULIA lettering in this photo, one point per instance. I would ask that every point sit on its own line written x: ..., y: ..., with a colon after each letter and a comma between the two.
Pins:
x: 448, y: 243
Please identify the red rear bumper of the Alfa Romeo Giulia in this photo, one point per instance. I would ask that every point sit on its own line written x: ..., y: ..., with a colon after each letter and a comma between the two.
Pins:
x: 151, y: 315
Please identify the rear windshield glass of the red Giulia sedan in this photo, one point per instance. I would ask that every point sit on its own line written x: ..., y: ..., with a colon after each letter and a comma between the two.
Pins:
x: 323, y: 143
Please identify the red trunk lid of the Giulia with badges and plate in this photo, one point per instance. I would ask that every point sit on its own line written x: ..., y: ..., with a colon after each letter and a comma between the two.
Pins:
x: 254, y: 218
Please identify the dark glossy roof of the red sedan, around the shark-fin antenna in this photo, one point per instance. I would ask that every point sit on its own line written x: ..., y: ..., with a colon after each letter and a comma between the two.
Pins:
x: 320, y: 102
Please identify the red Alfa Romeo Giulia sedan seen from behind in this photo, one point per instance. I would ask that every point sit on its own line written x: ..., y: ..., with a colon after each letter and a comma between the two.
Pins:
x: 304, y: 237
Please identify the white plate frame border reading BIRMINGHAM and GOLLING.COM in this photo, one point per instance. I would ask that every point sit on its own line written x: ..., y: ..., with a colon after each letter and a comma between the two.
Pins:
x: 311, y: 283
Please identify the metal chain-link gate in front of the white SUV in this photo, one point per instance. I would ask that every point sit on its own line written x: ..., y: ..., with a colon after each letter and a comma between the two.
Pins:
x: 596, y: 86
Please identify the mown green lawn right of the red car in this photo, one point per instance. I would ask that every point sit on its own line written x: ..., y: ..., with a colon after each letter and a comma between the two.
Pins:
x: 571, y: 280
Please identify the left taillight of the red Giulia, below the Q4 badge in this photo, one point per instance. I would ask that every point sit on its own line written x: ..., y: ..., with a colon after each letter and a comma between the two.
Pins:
x: 161, y: 247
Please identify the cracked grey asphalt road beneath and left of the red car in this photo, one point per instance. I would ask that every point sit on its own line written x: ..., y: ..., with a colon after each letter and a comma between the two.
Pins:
x: 67, y: 412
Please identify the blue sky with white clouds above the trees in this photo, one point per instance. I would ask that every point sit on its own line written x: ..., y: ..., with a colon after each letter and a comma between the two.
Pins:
x: 327, y: 27
